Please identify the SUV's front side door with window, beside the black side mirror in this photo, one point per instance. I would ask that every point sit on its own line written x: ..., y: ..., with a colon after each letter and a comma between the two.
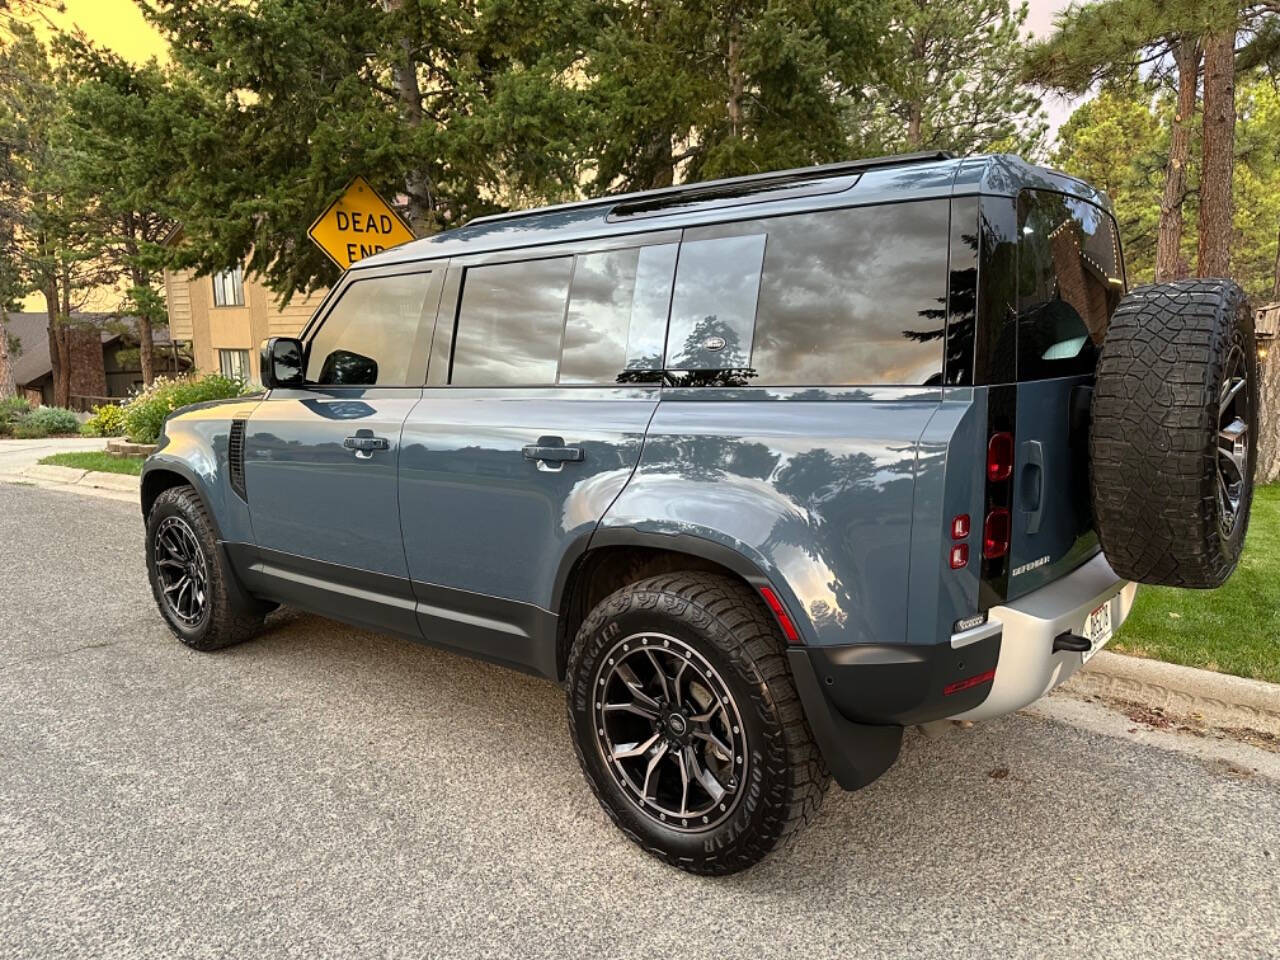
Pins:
x: 321, y: 461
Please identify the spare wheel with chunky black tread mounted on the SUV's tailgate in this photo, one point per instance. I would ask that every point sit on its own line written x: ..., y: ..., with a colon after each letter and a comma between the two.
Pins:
x: 1174, y: 436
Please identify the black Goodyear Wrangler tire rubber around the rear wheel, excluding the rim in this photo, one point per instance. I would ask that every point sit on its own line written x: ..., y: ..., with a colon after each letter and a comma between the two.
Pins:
x: 729, y: 627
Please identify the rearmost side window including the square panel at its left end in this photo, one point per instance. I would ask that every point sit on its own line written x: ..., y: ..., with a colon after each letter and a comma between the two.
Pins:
x: 839, y: 298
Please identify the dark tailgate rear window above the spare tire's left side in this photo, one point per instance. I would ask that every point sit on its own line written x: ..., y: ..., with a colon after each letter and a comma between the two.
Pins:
x: 1071, y: 278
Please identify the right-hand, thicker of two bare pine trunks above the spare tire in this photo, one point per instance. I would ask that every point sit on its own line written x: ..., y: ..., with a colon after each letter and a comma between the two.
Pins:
x: 1214, y: 258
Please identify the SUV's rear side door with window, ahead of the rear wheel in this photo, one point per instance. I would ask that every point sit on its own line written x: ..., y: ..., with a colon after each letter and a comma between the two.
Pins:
x: 545, y: 374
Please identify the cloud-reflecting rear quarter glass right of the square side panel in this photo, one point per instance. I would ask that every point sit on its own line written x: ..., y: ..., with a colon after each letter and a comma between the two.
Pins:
x: 854, y: 298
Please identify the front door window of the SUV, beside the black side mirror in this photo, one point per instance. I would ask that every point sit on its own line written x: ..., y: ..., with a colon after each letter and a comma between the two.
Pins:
x: 372, y: 335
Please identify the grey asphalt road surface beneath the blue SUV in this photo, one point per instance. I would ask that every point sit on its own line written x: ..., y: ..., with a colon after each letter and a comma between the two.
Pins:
x: 326, y: 793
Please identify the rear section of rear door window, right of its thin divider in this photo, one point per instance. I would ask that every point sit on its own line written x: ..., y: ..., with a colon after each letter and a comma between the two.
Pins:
x: 618, y: 314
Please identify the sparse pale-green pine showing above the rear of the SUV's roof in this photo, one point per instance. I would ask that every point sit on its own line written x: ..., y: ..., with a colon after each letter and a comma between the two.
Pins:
x: 949, y: 84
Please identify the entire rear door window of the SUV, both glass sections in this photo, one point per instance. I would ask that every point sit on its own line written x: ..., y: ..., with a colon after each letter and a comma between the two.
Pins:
x: 587, y: 319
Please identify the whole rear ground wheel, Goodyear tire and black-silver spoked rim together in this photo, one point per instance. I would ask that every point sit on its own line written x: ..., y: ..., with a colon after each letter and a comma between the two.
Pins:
x: 688, y: 724
